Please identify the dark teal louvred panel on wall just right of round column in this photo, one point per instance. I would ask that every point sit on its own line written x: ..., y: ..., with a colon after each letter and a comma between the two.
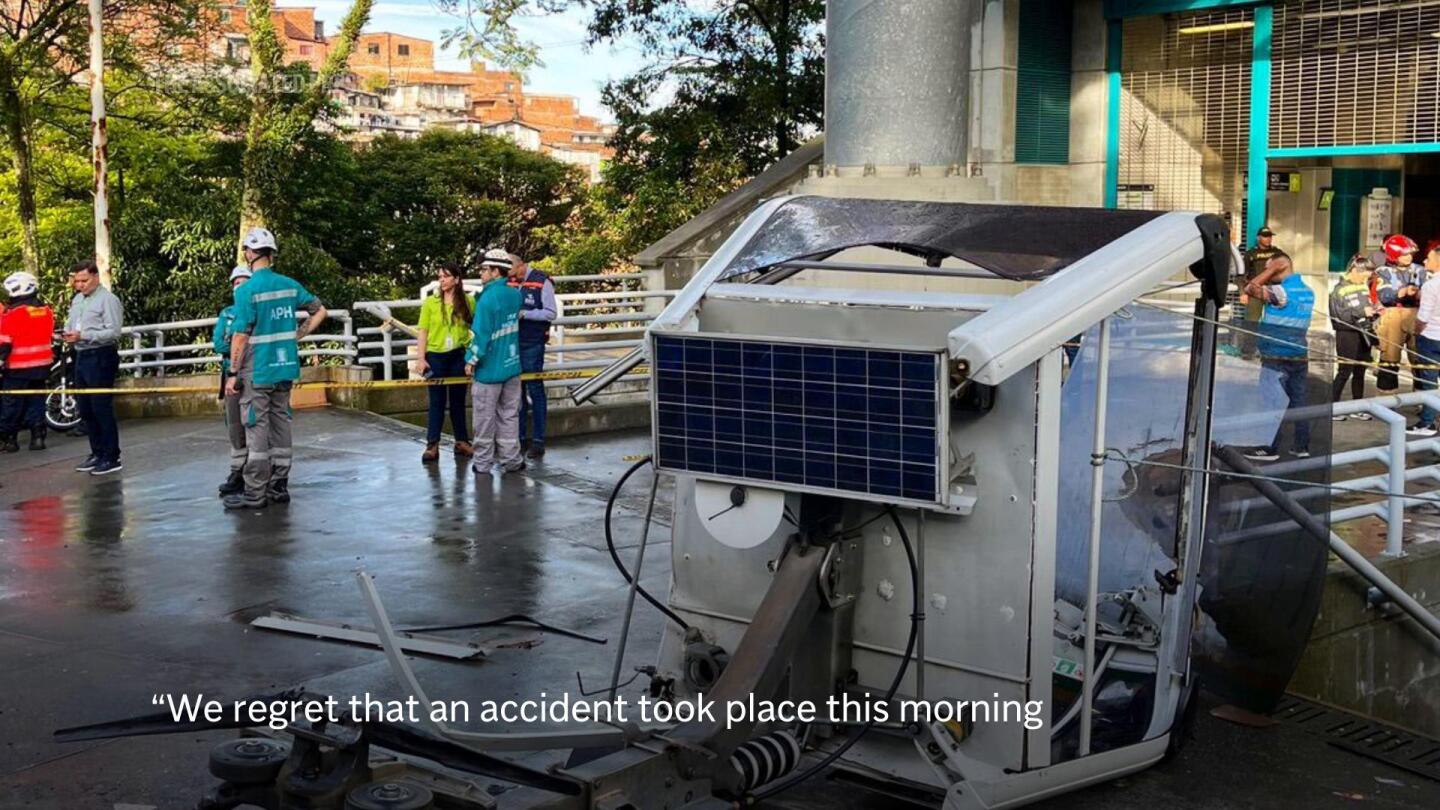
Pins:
x: 1043, y: 83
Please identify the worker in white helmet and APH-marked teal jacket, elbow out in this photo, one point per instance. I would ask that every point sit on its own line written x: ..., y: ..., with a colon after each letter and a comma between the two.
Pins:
x: 266, y: 352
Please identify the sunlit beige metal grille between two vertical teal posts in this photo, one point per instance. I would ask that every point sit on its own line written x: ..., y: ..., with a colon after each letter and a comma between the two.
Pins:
x: 1186, y: 112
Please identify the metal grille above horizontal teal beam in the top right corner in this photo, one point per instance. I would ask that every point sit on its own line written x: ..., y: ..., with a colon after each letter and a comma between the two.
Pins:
x: 1356, y: 73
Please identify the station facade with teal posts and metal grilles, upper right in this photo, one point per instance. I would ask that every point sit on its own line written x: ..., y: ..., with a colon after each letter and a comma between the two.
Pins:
x: 1320, y: 119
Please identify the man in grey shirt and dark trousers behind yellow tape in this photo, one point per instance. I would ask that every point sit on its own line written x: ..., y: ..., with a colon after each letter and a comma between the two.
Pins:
x: 93, y: 331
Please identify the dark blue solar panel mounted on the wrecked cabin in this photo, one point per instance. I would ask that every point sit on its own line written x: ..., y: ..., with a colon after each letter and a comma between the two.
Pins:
x: 829, y: 417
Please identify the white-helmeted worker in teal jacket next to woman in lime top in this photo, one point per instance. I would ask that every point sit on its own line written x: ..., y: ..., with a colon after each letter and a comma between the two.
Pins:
x: 493, y: 361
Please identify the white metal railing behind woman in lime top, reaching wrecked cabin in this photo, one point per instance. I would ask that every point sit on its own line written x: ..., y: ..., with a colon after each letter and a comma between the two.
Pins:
x: 593, y: 329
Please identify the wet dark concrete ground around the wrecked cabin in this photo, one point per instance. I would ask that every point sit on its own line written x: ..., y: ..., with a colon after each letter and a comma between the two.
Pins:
x: 114, y: 590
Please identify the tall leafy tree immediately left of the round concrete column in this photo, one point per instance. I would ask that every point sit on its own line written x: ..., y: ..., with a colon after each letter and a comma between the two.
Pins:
x: 745, y: 81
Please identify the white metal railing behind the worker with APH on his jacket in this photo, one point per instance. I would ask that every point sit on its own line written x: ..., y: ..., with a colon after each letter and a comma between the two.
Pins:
x: 158, y: 348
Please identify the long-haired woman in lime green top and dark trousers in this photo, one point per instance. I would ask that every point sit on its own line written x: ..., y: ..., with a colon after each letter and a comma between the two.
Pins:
x: 444, y: 334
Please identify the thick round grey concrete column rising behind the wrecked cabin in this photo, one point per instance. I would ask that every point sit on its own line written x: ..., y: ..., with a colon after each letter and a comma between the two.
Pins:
x: 898, y: 83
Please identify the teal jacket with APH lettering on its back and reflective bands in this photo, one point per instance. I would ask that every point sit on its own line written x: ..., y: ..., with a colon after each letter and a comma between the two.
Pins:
x: 266, y: 309
